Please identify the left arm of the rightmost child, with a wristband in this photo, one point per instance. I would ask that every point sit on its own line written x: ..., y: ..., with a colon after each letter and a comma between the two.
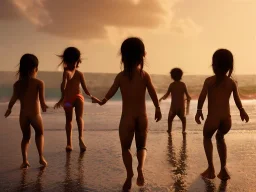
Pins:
x: 201, y: 99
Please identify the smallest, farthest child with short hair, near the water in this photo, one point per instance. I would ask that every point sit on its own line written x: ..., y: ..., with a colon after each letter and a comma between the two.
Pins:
x: 177, y: 89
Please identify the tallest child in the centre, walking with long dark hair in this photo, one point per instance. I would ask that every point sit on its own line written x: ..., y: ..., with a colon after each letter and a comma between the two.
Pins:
x: 133, y: 82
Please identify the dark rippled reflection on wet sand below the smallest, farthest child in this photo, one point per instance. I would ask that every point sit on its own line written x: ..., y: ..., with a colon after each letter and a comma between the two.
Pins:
x: 179, y: 166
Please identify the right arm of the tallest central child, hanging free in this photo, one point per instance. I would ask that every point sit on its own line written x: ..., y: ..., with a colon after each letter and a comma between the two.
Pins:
x: 153, y: 95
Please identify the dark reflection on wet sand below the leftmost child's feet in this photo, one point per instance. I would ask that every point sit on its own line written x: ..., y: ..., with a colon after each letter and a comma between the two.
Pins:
x: 24, y: 184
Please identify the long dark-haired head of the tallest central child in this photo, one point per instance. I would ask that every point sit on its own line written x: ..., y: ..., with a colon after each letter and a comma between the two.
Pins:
x: 133, y: 53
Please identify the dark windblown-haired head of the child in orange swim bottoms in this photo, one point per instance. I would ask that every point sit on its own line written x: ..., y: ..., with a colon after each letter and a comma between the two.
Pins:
x: 70, y: 58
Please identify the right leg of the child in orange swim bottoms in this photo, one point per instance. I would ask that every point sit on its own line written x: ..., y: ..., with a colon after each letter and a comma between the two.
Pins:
x: 79, y: 109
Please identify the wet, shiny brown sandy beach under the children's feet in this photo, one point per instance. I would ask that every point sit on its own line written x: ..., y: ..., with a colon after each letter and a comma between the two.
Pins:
x: 173, y: 162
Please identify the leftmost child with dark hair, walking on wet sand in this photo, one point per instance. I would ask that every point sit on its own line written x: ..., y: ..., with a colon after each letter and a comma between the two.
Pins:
x: 30, y: 92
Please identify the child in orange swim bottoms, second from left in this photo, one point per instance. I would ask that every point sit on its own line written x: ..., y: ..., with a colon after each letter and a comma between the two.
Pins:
x: 72, y: 95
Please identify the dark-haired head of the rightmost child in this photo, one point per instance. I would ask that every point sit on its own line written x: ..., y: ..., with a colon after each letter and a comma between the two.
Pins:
x: 222, y: 62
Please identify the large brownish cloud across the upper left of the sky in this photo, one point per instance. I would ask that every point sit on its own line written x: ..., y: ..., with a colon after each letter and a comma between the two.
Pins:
x: 86, y: 19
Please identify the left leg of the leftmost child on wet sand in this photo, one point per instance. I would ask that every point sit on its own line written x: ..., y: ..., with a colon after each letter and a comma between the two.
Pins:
x: 26, y: 132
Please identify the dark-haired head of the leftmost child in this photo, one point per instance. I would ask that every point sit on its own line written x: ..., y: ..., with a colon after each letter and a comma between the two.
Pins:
x: 28, y: 66
